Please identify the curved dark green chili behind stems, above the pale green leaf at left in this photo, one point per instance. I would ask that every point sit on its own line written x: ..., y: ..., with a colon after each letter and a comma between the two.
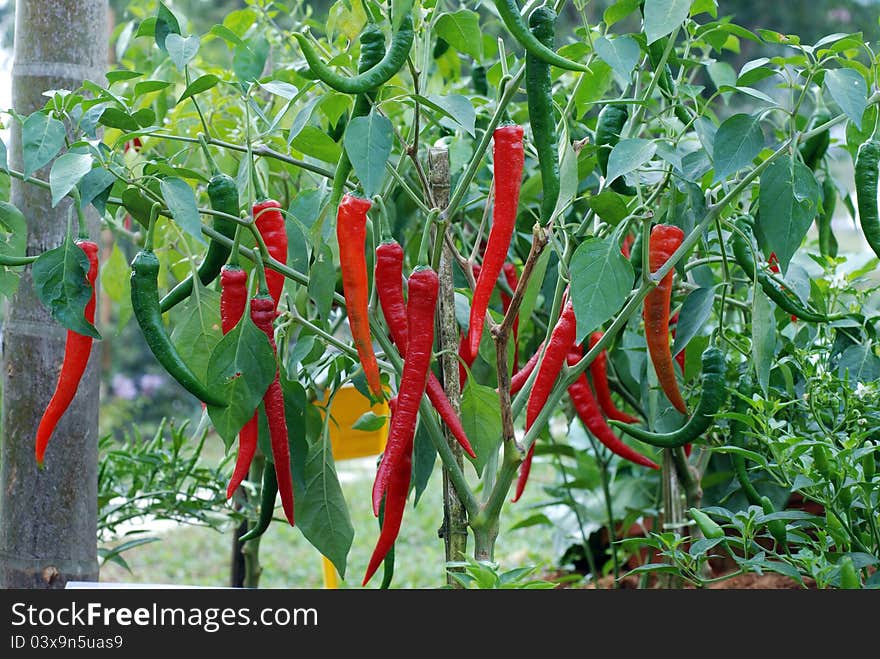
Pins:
x: 223, y: 195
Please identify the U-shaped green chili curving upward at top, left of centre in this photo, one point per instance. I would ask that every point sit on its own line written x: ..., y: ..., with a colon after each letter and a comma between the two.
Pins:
x: 368, y: 78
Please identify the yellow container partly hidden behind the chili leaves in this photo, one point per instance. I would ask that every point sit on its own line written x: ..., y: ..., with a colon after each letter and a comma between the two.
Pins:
x: 347, y: 407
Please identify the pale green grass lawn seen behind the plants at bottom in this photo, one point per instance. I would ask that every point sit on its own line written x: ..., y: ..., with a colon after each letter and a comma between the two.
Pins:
x: 187, y: 555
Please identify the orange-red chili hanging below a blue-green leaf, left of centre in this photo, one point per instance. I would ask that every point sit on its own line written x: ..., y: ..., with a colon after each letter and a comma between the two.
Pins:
x: 351, y: 234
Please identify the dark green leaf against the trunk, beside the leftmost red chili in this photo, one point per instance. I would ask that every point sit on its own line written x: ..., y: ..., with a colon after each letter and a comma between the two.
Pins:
x: 60, y: 283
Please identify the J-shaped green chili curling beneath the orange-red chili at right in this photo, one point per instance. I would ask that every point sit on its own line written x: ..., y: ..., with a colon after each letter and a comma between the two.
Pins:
x: 713, y: 395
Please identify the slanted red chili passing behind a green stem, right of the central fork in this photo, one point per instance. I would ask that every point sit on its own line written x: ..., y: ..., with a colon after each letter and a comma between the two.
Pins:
x: 561, y: 339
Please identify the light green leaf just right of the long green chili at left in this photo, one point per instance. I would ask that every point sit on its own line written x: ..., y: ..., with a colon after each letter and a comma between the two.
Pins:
x: 197, y: 328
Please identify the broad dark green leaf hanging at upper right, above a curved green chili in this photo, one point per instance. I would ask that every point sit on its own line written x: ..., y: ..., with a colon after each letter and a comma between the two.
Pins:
x: 788, y: 200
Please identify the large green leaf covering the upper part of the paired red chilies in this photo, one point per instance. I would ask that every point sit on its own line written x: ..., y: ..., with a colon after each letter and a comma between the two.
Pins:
x: 241, y: 366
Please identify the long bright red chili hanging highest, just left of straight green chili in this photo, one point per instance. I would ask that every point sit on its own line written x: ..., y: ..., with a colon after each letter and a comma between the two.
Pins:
x: 509, y: 158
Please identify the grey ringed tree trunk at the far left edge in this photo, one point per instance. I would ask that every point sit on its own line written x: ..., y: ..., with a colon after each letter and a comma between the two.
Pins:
x: 48, y: 518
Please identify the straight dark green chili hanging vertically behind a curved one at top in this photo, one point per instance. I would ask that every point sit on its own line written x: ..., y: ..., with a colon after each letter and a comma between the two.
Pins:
x: 542, y: 23
